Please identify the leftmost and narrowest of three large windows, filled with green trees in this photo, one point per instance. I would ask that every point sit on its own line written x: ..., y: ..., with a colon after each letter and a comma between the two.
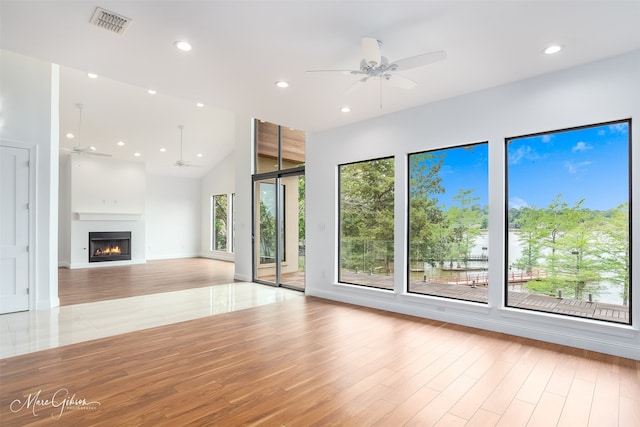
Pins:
x: 366, y: 223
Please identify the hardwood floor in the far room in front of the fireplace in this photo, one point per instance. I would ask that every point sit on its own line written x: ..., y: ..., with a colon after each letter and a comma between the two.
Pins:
x: 105, y: 283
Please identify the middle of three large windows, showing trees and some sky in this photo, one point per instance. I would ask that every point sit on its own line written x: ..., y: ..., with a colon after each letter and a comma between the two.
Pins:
x: 448, y: 218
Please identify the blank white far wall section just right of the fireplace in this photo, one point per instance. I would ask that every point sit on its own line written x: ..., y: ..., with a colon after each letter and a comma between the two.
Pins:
x: 173, y: 217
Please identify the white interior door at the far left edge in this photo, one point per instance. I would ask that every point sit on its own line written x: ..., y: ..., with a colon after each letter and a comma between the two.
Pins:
x: 14, y: 229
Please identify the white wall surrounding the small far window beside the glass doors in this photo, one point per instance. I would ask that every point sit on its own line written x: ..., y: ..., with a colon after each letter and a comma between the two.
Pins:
x: 221, y: 180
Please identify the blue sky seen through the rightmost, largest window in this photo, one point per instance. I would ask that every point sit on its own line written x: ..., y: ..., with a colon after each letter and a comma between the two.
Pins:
x: 590, y: 163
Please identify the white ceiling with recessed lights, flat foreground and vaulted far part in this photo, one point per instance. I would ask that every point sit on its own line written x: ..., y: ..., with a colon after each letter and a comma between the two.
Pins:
x: 240, y: 48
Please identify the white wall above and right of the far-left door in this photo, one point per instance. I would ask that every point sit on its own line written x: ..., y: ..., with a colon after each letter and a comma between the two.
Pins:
x: 28, y: 117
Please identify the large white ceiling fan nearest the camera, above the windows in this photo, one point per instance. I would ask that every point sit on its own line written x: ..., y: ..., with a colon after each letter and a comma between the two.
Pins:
x: 375, y: 66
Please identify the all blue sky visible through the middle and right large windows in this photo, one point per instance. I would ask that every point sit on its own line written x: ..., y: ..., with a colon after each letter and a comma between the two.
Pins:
x: 589, y: 163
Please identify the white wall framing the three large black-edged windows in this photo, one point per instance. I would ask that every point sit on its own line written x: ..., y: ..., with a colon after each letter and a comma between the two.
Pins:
x: 598, y: 92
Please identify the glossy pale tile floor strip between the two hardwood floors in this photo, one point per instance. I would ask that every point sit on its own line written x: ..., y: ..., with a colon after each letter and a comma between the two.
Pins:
x: 31, y: 331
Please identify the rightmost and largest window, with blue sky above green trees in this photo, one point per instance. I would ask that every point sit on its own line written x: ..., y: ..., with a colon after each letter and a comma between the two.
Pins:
x: 568, y: 230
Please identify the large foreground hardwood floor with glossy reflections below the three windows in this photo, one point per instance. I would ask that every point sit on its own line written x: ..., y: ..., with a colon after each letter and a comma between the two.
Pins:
x: 310, y: 361
